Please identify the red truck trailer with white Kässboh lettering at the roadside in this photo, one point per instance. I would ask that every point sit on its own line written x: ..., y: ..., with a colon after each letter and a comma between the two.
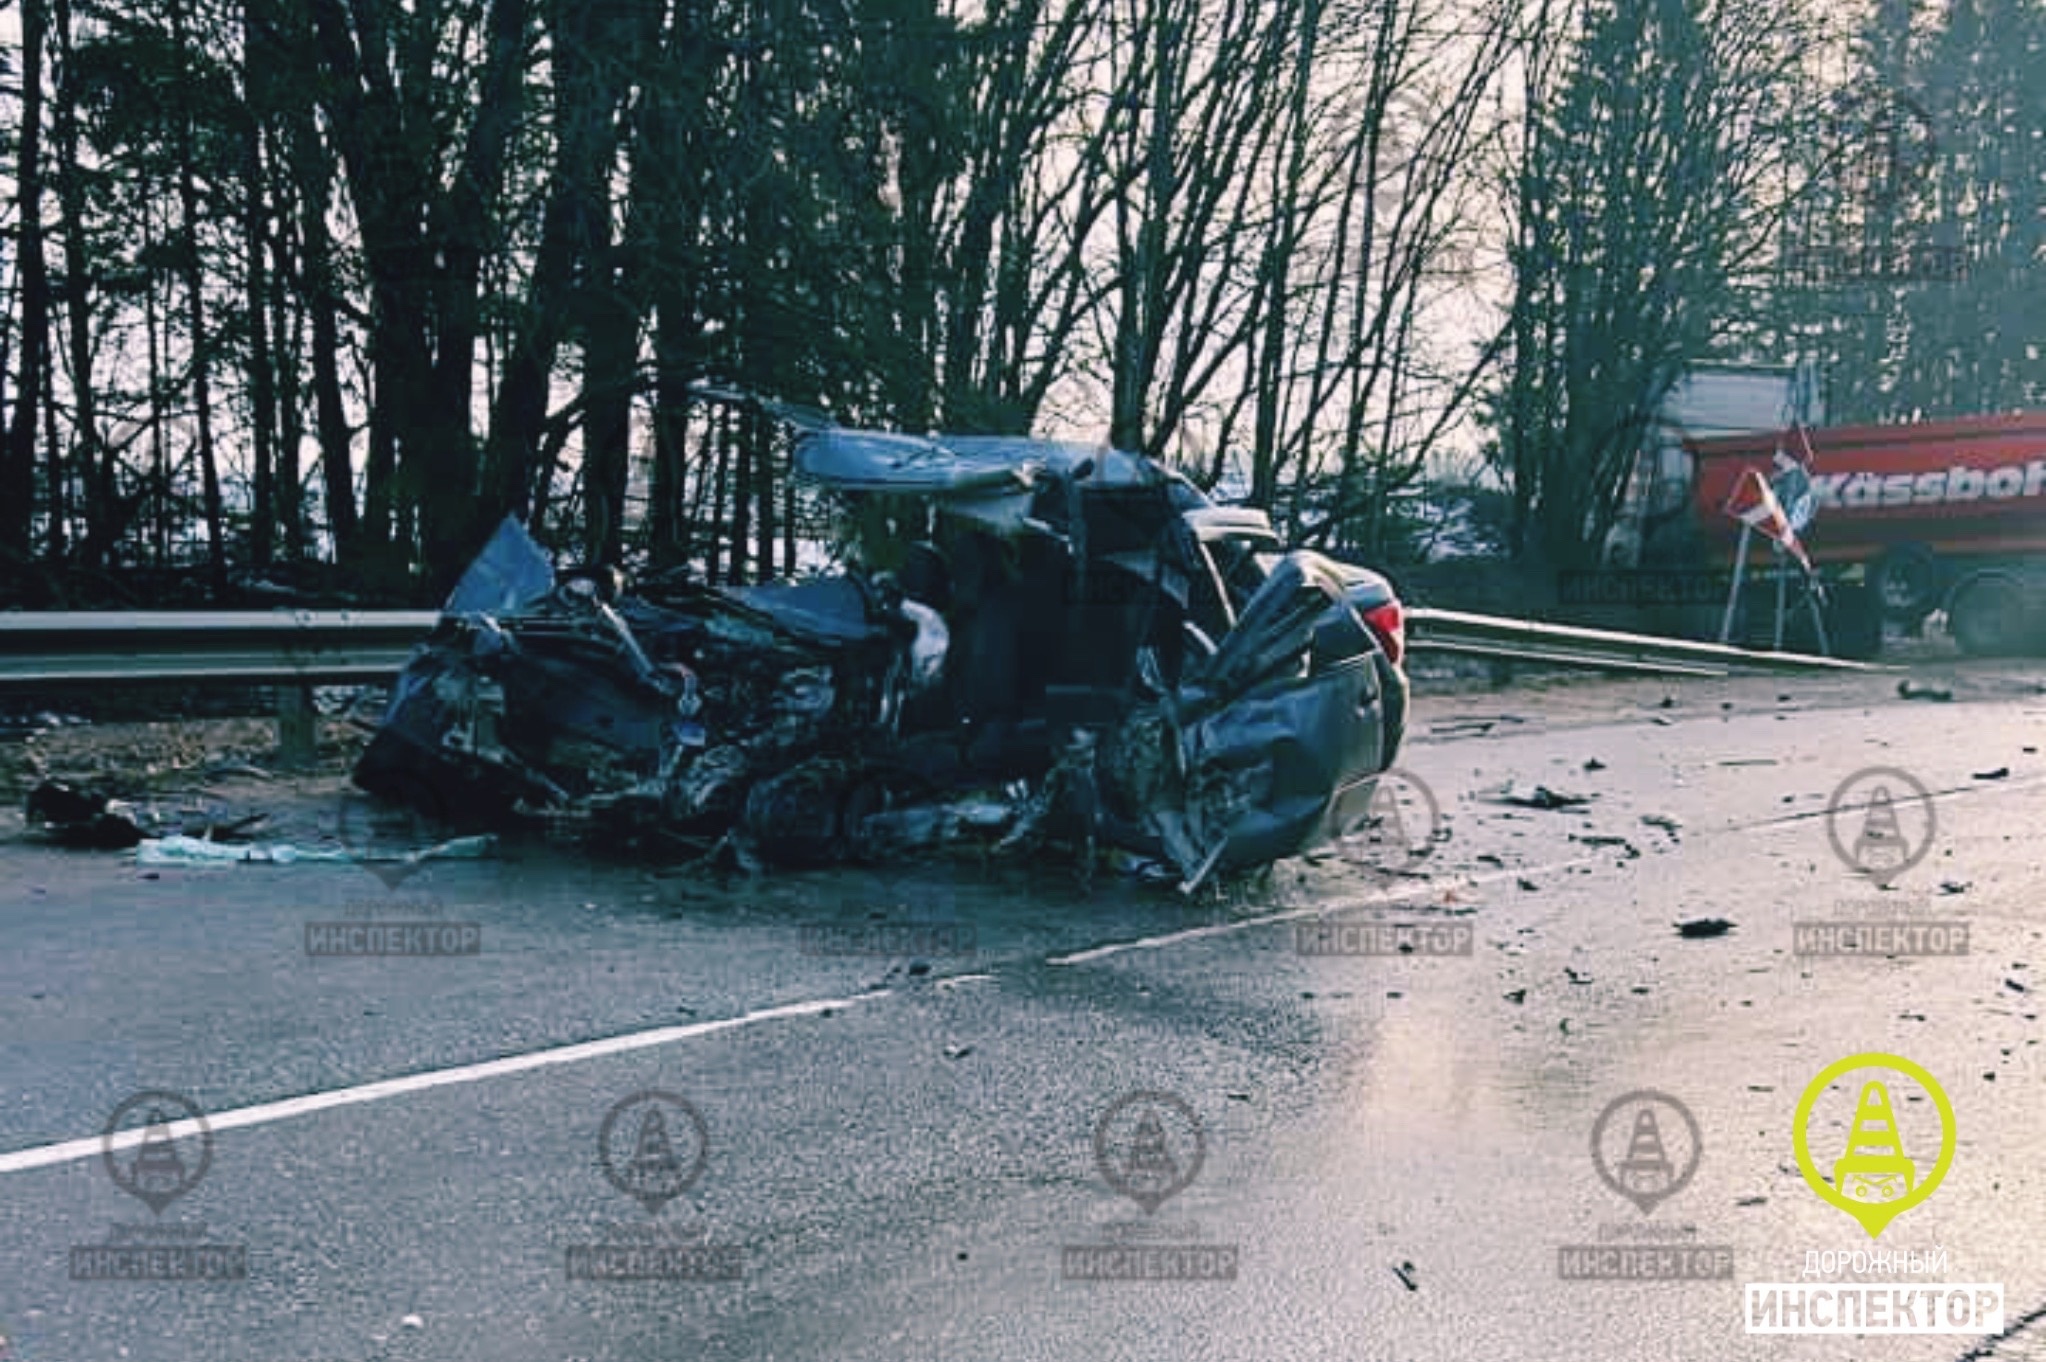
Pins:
x: 1937, y: 514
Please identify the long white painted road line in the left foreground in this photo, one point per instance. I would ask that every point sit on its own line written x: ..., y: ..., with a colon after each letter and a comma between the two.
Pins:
x: 73, y: 1150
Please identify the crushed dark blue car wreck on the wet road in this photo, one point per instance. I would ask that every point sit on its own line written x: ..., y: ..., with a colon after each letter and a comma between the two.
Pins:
x: 1028, y: 641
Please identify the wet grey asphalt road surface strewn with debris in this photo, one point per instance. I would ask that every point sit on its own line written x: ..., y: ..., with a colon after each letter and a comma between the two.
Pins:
x: 1394, y: 1148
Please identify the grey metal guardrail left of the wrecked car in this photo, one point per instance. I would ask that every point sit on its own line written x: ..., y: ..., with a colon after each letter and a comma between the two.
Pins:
x: 210, y: 645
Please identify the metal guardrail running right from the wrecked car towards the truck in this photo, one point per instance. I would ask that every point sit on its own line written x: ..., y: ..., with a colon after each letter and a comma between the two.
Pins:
x: 1566, y: 645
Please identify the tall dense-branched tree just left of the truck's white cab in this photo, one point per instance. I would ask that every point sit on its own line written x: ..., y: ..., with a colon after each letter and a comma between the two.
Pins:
x: 1644, y: 187
